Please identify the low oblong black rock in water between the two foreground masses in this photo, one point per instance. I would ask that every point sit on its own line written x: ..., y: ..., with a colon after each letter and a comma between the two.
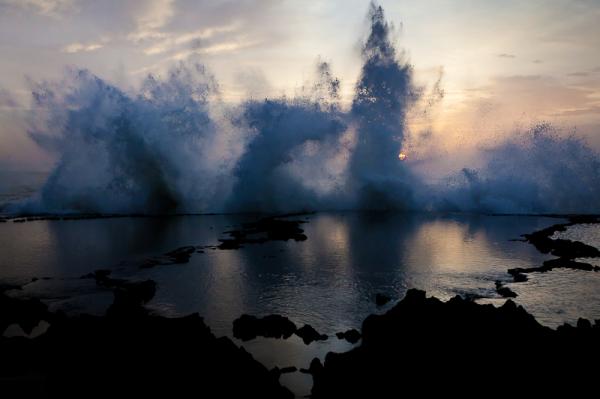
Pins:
x: 248, y: 327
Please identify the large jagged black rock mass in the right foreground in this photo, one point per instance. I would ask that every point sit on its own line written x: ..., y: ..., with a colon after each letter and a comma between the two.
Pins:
x: 456, y: 347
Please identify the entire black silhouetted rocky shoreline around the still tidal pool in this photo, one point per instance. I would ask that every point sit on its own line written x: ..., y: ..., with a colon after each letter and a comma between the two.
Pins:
x: 417, y: 341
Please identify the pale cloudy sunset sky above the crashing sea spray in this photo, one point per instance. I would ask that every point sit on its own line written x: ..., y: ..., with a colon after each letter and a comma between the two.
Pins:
x: 504, y: 65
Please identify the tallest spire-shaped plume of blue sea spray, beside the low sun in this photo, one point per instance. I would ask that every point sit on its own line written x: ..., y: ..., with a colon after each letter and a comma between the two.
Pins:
x: 384, y: 94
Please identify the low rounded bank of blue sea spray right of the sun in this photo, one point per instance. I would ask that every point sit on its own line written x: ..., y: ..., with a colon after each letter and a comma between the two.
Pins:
x: 533, y: 171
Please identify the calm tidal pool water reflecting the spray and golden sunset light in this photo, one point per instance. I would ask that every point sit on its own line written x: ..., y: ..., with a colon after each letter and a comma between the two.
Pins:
x: 328, y: 281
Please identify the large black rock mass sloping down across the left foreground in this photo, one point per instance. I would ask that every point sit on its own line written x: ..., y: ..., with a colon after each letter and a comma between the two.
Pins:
x: 132, y: 353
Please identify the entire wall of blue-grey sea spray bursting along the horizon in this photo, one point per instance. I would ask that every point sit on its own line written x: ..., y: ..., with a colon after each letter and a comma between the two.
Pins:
x: 175, y: 147
